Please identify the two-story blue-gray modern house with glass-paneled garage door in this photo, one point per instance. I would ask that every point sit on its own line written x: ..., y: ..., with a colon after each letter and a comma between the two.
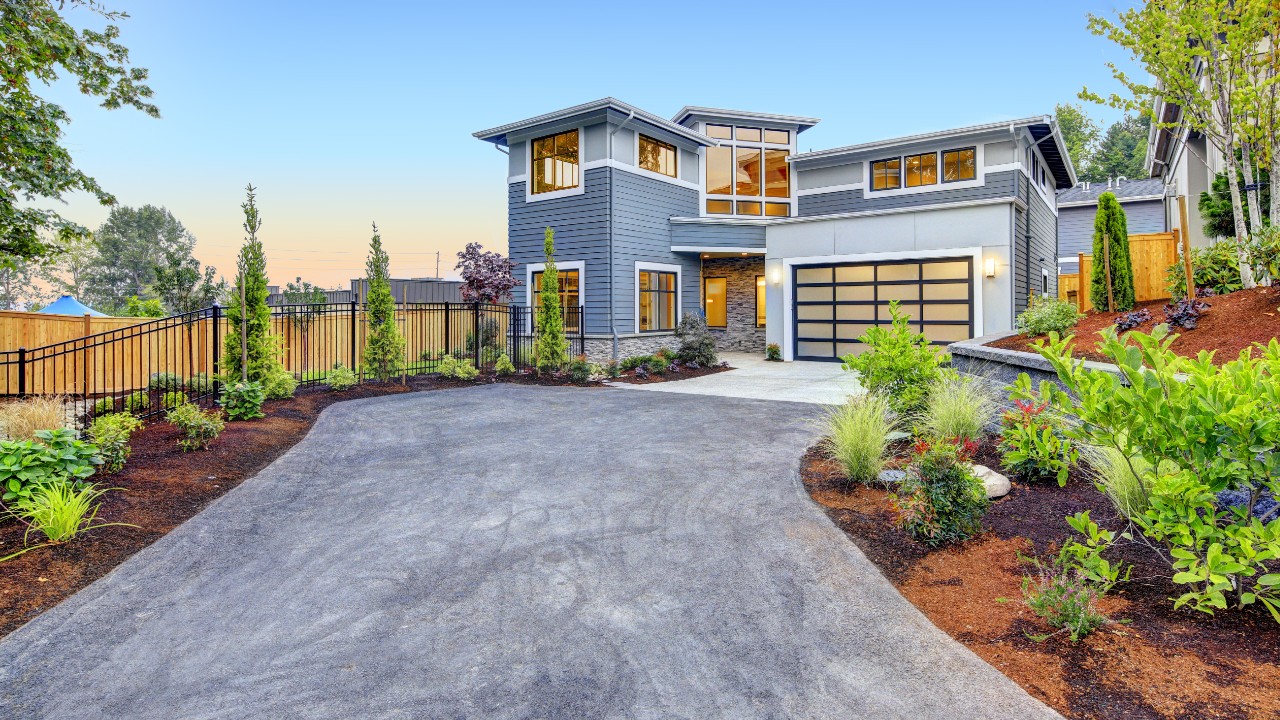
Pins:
x: 716, y: 211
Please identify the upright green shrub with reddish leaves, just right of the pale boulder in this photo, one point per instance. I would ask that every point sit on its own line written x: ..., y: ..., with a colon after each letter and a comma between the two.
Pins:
x: 1032, y: 439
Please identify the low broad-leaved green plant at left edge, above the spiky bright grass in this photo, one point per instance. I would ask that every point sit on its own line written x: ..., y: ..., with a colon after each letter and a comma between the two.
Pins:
x: 54, y: 458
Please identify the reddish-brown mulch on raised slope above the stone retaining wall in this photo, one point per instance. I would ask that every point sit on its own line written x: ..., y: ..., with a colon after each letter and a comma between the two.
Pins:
x: 1233, y: 323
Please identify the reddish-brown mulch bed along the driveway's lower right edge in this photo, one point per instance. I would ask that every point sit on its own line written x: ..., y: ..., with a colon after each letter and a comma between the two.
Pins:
x: 1163, y: 664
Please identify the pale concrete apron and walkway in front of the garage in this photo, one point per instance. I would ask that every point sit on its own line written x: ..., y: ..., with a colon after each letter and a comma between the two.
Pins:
x: 753, y: 377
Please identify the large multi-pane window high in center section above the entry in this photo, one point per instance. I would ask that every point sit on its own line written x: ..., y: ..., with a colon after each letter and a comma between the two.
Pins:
x: 751, y: 172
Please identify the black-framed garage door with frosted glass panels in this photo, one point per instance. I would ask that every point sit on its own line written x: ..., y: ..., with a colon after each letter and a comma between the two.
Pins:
x: 834, y: 306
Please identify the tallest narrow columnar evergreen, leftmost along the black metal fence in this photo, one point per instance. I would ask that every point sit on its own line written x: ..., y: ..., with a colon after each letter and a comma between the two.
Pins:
x: 252, y: 279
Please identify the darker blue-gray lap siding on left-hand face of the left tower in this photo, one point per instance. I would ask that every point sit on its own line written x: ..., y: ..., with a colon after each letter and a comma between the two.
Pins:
x: 582, y: 234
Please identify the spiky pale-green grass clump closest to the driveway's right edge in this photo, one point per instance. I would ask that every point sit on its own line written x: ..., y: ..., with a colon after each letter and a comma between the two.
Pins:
x: 858, y: 436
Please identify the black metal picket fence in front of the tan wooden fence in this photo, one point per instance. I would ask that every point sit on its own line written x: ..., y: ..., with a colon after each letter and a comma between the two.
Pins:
x: 134, y: 368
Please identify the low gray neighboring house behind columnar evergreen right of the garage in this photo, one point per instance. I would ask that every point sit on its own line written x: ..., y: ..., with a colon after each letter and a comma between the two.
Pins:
x: 1142, y: 202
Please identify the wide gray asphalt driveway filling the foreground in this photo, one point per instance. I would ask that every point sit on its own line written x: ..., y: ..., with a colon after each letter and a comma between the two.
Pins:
x: 509, y: 552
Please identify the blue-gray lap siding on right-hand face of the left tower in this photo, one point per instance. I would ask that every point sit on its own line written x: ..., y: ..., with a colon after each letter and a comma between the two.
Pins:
x: 642, y: 233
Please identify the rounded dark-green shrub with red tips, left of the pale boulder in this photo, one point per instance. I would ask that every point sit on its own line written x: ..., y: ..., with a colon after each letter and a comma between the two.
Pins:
x: 940, y: 500
